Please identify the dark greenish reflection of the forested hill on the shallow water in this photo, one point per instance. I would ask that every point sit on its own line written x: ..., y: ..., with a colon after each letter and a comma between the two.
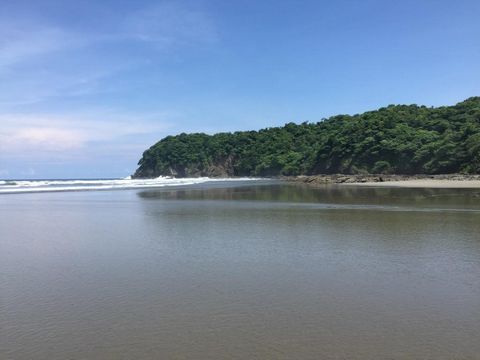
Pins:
x: 460, y: 199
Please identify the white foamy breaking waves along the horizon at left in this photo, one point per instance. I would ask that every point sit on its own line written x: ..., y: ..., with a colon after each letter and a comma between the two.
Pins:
x: 23, y: 186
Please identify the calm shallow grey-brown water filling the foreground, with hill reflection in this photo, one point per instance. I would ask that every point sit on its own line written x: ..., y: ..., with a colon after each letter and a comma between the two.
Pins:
x: 236, y: 271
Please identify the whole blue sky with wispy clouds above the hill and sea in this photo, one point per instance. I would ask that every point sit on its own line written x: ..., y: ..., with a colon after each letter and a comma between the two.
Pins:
x: 87, y: 86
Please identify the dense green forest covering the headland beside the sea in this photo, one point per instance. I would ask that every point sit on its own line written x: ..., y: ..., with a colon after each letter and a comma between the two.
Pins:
x: 397, y: 139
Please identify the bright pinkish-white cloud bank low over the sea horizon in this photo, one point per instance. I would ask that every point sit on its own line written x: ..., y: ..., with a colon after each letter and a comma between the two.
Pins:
x: 50, y: 136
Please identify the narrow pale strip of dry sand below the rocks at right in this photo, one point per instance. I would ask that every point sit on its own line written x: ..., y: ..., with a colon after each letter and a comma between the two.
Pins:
x: 423, y: 183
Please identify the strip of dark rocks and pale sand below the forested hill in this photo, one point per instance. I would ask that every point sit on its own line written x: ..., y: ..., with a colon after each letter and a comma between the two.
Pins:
x: 410, y: 181
